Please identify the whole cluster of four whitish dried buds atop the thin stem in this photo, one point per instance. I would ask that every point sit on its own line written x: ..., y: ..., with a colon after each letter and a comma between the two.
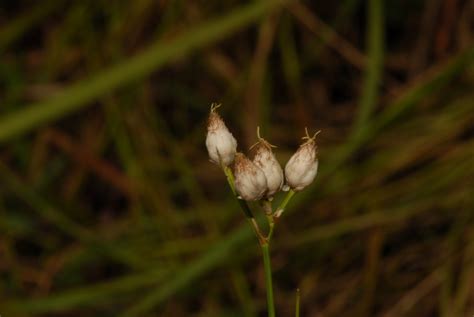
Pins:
x: 262, y: 177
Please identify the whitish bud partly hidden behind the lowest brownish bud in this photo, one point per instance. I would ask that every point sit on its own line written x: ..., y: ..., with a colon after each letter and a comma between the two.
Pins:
x: 266, y: 160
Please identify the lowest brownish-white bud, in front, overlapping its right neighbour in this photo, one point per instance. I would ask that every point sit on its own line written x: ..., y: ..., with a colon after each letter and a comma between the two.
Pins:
x: 250, y: 181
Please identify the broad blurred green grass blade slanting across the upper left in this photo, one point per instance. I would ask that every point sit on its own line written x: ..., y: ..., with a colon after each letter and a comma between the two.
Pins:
x: 81, y: 94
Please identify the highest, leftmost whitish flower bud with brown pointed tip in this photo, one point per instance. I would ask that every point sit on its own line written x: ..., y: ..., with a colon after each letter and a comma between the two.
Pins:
x: 220, y: 143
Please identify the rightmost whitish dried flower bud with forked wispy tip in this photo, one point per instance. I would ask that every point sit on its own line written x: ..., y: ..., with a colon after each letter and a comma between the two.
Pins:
x: 302, y: 167
